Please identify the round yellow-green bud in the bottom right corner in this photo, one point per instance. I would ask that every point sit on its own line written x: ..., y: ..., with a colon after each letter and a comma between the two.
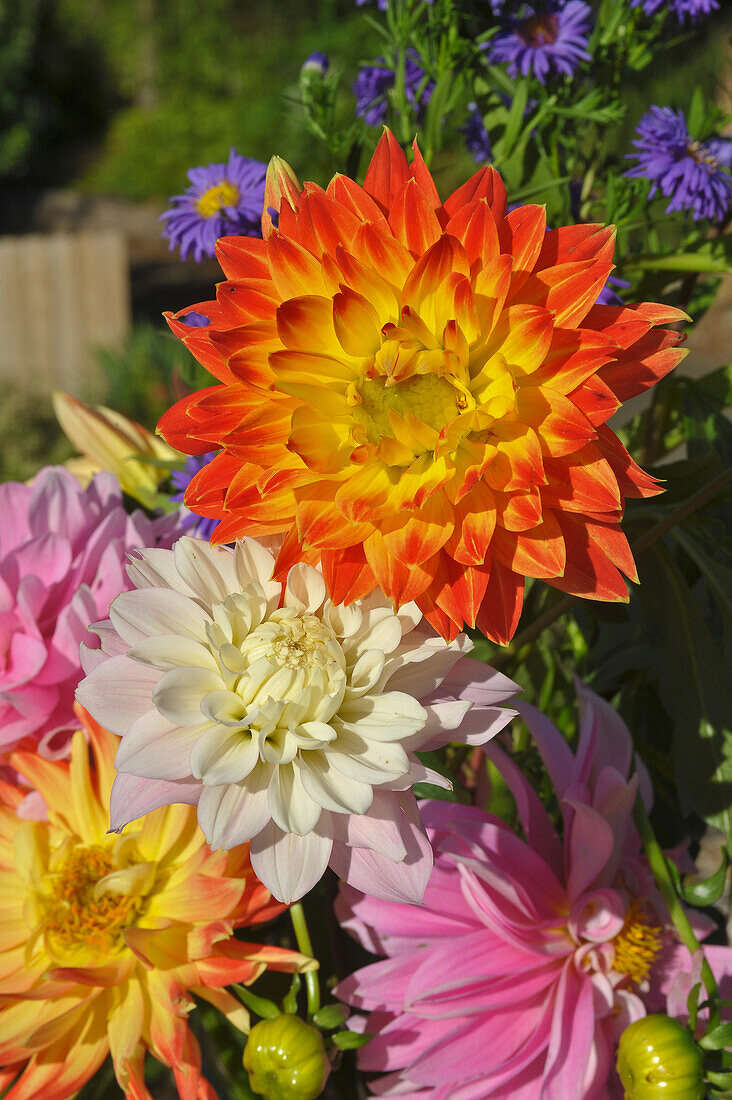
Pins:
x: 659, y: 1060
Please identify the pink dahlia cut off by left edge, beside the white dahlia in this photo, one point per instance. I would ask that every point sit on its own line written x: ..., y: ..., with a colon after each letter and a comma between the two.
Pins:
x: 62, y: 563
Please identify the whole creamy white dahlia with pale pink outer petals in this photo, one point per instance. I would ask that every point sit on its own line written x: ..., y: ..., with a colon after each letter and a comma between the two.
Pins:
x: 290, y: 721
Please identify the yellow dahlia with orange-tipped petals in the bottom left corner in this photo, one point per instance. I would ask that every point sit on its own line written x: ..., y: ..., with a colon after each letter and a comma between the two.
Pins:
x: 103, y: 939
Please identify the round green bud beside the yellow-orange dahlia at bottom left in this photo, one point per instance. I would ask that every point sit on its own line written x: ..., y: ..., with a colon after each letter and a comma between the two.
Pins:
x: 287, y: 1060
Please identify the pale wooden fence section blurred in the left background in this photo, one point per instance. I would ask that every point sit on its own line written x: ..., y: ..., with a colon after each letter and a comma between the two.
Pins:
x: 62, y: 295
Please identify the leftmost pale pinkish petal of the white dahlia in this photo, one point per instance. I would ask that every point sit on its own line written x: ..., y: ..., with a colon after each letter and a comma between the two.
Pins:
x: 118, y: 692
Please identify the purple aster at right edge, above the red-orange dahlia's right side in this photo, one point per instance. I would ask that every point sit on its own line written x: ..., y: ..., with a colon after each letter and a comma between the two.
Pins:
x: 683, y: 170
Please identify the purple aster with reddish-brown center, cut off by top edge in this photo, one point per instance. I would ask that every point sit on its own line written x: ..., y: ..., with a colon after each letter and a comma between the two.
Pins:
x: 543, y: 37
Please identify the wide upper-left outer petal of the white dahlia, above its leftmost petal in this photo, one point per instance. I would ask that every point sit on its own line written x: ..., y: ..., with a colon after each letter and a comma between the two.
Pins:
x: 150, y: 612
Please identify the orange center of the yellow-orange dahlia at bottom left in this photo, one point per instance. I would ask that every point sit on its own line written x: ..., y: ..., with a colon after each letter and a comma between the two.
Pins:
x: 78, y: 911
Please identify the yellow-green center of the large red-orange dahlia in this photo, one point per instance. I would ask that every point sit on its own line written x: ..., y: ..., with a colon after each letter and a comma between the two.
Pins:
x: 429, y: 398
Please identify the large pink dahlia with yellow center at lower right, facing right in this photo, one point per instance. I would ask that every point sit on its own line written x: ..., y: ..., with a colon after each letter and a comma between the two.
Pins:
x: 529, y: 958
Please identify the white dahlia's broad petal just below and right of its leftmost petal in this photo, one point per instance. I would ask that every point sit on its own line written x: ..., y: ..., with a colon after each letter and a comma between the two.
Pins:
x: 155, y: 749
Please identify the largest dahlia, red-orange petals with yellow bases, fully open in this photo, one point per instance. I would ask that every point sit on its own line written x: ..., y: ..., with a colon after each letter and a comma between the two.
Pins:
x: 416, y: 394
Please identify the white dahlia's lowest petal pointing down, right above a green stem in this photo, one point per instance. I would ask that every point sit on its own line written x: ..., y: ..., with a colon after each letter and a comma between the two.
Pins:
x: 290, y: 865
